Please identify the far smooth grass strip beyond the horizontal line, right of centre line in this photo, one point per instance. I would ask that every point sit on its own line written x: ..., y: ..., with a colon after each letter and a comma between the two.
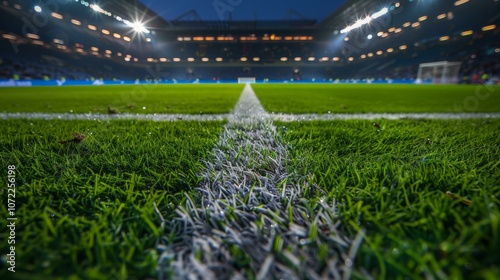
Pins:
x: 324, y: 98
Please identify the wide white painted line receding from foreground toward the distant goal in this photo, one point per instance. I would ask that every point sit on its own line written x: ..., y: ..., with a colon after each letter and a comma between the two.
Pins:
x: 249, y: 203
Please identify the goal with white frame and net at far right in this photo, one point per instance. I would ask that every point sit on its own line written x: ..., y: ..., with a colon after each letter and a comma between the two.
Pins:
x: 439, y: 72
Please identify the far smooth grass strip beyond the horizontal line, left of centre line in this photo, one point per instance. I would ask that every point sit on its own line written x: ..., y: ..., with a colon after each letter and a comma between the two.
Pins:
x: 141, y: 99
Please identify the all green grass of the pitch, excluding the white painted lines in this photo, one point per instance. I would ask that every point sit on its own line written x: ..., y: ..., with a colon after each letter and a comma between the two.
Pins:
x: 87, y: 209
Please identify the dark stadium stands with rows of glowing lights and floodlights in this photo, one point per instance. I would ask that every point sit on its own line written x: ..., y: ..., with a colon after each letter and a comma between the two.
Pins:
x: 362, y: 41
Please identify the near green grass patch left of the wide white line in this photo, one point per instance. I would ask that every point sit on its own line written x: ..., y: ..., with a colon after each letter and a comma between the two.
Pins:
x: 87, y: 209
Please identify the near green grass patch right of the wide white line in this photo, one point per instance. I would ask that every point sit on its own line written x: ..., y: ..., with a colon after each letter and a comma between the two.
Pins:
x: 392, y: 182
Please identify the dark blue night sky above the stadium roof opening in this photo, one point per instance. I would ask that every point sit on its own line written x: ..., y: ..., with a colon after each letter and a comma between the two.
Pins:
x: 244, y: 9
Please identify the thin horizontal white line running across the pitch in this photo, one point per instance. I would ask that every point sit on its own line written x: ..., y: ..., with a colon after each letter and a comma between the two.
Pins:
x: 272, y: 116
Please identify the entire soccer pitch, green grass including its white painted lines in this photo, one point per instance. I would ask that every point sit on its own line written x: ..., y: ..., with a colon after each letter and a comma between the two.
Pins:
x: 384, y: 198
